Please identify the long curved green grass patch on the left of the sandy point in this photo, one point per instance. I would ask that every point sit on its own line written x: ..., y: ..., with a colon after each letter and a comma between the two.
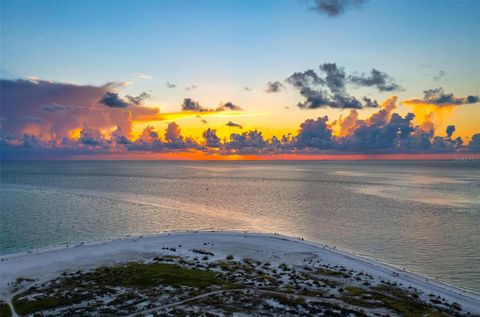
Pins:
x: 106, y: 278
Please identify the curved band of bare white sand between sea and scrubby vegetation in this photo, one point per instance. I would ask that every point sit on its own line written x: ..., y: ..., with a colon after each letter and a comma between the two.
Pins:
x: 46, y: 264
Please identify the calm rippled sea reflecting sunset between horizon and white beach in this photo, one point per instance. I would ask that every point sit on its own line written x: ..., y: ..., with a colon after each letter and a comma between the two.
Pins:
x: 424, y: 216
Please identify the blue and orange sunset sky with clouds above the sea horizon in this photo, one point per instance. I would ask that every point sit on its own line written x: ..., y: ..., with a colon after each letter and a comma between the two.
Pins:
x: 239, y: 79
